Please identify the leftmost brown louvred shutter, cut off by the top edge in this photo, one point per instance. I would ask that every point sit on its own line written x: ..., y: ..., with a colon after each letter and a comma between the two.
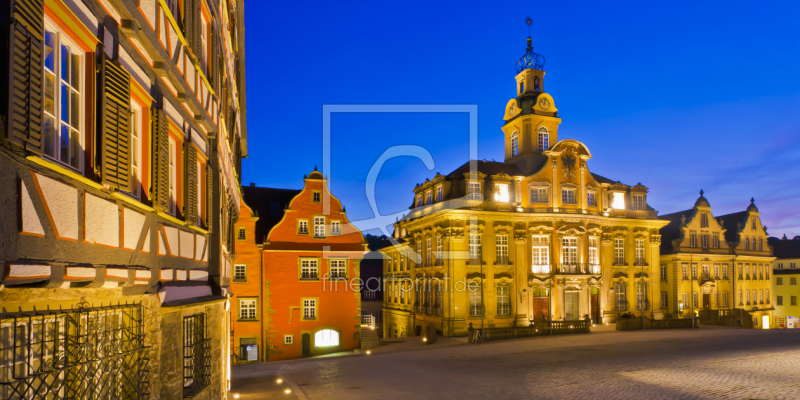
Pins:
x: 26, y: 80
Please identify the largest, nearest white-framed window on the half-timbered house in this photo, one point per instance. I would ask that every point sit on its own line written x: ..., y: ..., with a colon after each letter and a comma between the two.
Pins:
x: 63, y: 104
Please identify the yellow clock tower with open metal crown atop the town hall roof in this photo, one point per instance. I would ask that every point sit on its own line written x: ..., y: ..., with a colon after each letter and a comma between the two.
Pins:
x: 531, y: 119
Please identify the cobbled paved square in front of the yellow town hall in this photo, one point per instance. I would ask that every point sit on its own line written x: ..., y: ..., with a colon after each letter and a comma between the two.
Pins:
x: 706, y: 363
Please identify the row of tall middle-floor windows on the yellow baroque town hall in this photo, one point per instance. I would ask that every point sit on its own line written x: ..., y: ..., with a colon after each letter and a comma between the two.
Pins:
x: 540, y: 254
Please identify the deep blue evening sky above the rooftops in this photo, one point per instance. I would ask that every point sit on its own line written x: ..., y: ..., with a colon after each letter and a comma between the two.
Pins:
x: 678, y: 95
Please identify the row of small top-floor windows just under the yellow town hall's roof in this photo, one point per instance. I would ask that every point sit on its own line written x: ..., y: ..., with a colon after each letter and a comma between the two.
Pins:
x: 539, y: 193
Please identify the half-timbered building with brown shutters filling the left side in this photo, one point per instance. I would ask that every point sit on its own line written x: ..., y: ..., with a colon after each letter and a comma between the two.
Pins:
x: 123, y: 129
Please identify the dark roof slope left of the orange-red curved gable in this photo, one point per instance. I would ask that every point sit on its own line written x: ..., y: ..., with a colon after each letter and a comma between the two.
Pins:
x: 269, y: 204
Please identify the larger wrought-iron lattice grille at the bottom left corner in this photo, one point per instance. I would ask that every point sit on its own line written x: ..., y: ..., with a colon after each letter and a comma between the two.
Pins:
x: 81, y: 353
